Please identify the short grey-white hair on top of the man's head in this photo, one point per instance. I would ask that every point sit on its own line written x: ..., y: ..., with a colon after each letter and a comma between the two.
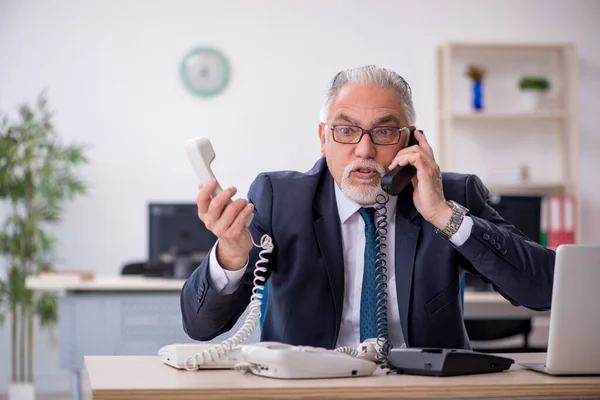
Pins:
x: 374, y: 75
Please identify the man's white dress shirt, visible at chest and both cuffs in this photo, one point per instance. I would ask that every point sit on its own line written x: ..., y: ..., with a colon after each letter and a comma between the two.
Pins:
x: 353, y: 243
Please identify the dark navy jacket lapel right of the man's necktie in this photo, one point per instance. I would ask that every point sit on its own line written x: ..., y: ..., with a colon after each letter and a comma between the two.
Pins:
x: 408, y: 227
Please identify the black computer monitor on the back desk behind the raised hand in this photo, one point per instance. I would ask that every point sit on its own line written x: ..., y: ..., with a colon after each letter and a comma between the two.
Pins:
x: 175, y: 231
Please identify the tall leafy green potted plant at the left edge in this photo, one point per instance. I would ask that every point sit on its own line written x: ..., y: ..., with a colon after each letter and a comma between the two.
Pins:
x: 38, y: 175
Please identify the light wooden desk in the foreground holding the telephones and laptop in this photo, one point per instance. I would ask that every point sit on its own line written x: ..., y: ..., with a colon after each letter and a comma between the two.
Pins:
x: 136, y: 378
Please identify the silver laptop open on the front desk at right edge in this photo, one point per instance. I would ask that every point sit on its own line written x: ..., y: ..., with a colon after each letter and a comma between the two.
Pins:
x: 574, y: 338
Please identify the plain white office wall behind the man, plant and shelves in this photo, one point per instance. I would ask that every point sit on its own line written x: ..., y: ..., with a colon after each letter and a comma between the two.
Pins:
x: 111, y: 69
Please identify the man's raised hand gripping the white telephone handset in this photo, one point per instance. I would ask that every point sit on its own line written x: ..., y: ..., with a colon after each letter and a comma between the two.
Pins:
x: 227, y: 219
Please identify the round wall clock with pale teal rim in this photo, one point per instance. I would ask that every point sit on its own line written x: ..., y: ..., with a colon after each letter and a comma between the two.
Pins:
x: 204, y: 71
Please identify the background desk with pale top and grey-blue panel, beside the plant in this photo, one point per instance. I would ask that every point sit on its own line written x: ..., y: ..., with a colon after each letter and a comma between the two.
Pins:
x: 116, y: 316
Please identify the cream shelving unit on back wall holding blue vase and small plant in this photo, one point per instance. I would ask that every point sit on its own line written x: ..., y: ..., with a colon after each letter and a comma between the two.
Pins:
x: 504, y: 138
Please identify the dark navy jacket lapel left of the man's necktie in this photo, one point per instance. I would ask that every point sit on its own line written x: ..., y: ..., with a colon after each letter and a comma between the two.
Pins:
x: 329, y: 238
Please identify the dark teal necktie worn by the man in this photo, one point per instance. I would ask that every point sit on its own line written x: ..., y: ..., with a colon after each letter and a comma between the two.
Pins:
x: 368, y: 298
